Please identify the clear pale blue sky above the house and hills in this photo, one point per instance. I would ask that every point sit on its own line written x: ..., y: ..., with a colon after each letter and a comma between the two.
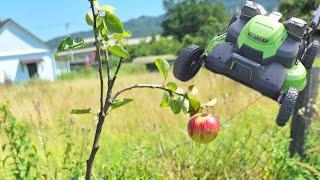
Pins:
x: 48, y: 18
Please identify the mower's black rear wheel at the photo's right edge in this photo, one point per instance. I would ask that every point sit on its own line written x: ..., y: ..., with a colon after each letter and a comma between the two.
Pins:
x: 310, y: 55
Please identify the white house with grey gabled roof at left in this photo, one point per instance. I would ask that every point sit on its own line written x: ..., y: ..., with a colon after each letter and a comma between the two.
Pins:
x: 23, y: 55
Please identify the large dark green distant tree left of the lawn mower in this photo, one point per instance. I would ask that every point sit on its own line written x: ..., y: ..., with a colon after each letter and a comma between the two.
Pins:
x: 187, y: 17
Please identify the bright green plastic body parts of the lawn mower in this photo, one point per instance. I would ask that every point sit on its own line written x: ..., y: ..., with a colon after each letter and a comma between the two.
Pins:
x: 270, y: 35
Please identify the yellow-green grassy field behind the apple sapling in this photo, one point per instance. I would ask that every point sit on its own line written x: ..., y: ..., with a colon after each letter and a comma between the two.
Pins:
x: 144, y: 141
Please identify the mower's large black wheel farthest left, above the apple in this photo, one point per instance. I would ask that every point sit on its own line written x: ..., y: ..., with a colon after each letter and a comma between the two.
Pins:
x: 188, y: 63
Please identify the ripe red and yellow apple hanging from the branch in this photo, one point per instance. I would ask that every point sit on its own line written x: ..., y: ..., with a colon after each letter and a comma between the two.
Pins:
x: 203, y: 128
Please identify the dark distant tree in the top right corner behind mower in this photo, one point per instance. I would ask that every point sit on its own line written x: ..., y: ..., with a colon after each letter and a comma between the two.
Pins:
x: 298, y: 8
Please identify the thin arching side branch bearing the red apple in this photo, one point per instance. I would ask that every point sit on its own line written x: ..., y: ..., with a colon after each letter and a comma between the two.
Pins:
x: 146, y: 86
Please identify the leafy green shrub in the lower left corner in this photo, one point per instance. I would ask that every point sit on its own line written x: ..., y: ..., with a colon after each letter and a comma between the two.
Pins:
x: 20, y: 154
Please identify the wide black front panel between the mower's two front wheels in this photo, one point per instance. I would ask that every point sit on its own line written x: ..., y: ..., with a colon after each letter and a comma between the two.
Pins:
x: 268, y: 80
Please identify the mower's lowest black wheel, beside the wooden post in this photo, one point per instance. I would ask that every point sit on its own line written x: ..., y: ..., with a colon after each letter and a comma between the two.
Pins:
x: 287, y: 102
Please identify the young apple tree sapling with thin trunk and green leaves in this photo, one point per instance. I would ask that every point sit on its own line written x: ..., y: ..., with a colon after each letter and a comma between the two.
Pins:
x: 110, y: 35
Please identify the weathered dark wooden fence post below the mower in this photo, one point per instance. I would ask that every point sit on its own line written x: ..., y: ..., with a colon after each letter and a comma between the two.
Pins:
x: 304, y: 113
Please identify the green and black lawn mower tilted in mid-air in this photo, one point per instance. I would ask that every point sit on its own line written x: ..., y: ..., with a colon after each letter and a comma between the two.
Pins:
x: 261, y: 52
